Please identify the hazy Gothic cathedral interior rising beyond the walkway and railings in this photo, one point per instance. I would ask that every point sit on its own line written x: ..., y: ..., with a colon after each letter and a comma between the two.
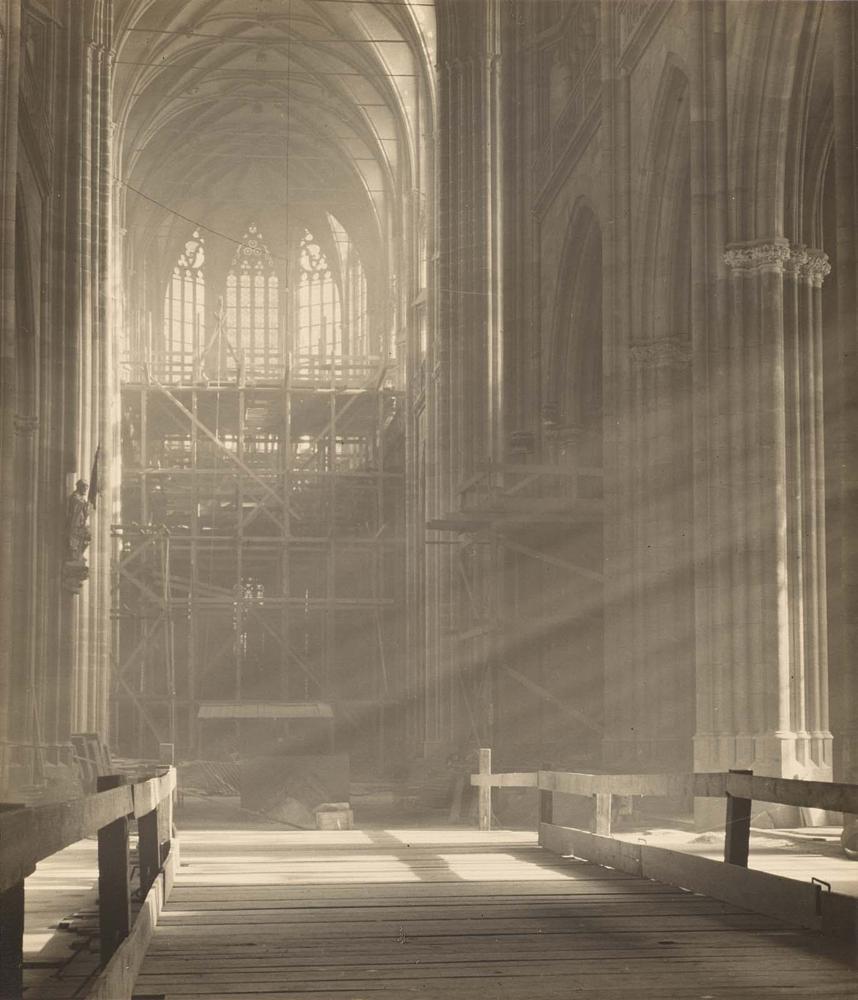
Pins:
x: 411, y: 377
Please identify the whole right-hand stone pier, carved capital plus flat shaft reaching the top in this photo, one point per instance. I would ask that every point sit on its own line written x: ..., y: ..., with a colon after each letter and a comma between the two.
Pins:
x: 761, y: 670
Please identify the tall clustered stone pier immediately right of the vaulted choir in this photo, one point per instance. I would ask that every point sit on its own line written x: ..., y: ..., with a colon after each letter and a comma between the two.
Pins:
x: 470, y: 333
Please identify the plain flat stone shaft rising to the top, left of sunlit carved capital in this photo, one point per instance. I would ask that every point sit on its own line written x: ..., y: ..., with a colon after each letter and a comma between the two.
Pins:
x: 715, y: 421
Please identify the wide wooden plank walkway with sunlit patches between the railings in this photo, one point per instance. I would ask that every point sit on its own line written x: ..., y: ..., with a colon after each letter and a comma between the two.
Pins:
x: 457, y: 914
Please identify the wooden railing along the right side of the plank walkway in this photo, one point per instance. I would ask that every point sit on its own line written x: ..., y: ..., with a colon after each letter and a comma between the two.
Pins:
x: 808, y: 904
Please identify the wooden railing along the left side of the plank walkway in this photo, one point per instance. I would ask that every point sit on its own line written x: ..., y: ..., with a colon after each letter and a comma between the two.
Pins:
x: 30, y: 835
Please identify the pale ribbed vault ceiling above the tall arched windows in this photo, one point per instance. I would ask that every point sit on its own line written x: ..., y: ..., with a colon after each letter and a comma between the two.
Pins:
x: 271, y: 102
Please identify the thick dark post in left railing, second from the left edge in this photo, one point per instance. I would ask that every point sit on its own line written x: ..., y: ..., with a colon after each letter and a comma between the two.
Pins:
x: 114, y: 901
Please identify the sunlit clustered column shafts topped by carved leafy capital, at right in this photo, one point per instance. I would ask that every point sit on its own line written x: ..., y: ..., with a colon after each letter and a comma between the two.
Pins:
x: 767, y: 696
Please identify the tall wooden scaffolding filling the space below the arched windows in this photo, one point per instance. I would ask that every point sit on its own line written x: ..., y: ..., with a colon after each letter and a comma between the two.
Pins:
x: 260, y: 551
